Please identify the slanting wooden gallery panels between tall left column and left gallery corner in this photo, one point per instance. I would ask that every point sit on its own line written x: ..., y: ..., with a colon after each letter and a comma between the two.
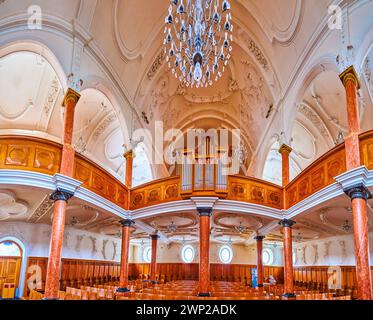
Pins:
x: 97, y: 180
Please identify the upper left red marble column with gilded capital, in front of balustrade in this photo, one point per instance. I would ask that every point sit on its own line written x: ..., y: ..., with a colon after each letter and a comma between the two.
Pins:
x: 68, y: 152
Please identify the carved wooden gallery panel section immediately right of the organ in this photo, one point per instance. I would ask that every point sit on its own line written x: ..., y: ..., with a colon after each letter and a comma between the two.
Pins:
x: 254, y: 191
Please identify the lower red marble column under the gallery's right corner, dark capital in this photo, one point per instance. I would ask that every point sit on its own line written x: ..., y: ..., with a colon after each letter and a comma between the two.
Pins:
x: 288, y: 258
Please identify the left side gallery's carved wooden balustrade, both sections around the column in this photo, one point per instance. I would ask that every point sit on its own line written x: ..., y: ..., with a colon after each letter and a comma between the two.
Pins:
x: 44, y: 156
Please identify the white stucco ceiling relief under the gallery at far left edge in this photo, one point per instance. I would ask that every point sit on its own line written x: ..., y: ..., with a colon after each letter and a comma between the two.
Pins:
x: 11, y: 207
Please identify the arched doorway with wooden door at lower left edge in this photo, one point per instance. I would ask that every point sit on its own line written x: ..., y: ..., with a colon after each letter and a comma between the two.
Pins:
x: 11, y: 258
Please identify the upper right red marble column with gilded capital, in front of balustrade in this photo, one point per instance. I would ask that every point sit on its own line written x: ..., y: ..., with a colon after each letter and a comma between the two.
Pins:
x: 350, y: 81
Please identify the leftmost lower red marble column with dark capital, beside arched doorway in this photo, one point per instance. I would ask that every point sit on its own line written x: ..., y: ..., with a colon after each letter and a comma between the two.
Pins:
x: 52, y: 285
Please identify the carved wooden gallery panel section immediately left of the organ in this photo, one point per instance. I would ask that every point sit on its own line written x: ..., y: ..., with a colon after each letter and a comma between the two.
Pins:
x: 164, y: 190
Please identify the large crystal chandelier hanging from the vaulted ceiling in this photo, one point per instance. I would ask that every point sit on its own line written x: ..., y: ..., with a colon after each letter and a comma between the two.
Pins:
x: 198, y: 36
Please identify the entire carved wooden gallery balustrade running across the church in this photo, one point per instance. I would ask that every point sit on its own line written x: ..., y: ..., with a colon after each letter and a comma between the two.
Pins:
x: 38, y: 155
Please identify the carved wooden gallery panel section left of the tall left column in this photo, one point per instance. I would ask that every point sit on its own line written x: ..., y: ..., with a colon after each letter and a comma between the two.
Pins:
x: 30, y: 154
